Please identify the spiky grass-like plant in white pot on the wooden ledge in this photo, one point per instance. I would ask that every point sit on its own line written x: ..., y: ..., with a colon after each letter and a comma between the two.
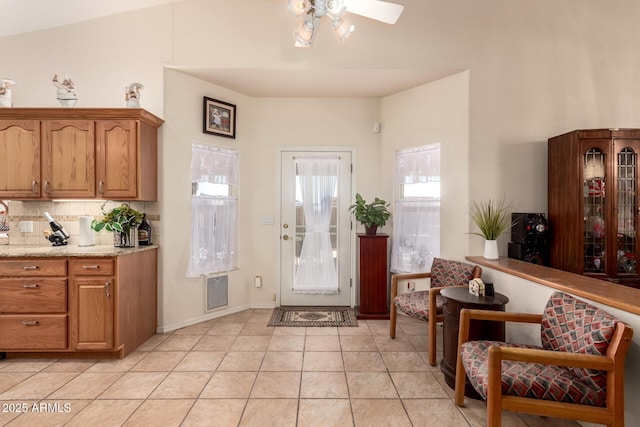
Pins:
x: 492, y: 217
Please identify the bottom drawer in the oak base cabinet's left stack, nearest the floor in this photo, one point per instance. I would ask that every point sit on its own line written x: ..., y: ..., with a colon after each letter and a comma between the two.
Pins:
x: 33, y: 332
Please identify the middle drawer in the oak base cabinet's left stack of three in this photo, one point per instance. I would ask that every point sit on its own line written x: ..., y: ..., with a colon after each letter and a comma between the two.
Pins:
x: 33, y: 295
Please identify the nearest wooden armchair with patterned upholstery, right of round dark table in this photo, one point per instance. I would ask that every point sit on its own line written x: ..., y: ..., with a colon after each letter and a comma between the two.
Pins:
x: 576, y: 373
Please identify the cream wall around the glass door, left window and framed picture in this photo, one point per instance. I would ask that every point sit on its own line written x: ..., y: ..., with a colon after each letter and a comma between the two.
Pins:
x: 263, y: 126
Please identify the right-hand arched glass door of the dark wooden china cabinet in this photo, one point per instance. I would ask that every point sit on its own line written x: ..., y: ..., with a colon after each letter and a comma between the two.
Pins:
x: 626, y: 210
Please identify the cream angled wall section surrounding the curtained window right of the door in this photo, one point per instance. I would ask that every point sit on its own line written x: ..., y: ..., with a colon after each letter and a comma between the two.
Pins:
x: 437, y: 112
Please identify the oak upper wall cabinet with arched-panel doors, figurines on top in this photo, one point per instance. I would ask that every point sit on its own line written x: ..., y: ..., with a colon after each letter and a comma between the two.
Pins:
x: 106, y: 153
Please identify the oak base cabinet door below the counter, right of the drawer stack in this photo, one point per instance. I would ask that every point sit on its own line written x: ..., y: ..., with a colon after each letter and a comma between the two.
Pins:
x: 93, y: 320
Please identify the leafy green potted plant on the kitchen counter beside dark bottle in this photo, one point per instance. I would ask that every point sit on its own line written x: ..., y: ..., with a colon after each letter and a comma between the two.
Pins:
x: 122, y: 221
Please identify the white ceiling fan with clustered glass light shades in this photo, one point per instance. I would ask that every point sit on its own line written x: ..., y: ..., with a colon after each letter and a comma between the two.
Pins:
x: 313, y: 10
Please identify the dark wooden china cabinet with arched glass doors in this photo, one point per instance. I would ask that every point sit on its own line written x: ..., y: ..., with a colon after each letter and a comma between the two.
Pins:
x: 593, y: 203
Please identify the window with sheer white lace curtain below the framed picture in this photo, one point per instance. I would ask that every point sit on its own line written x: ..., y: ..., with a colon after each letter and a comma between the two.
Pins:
x: 214, y: 205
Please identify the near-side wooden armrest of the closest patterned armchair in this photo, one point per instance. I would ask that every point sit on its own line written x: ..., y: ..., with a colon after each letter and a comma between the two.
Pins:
x: 548, y: 357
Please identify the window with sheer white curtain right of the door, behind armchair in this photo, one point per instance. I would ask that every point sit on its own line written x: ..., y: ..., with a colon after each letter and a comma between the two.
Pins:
x: 416, y: 224
